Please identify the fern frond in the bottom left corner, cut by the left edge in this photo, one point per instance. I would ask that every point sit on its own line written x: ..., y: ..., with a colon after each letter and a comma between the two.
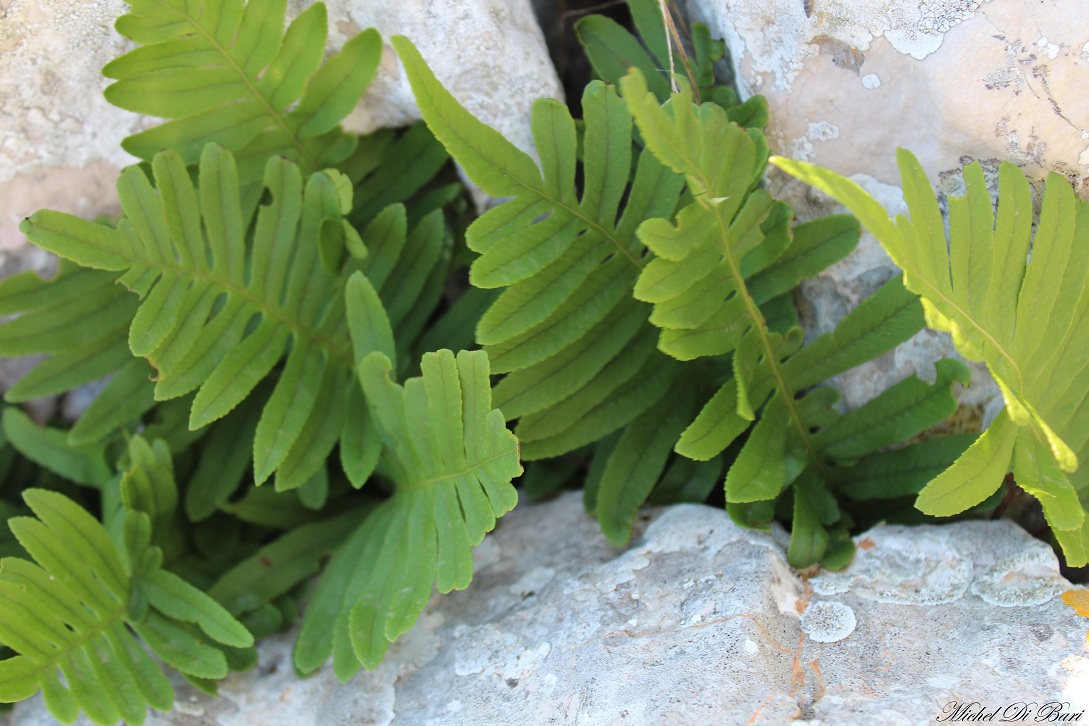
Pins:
x: 67, y: 619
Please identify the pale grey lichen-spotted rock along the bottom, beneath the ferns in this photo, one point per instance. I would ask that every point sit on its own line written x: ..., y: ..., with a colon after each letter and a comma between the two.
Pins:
x: 699, y: 622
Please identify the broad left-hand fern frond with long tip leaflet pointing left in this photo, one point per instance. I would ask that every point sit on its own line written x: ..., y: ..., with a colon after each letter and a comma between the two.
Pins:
x: 218, y: 315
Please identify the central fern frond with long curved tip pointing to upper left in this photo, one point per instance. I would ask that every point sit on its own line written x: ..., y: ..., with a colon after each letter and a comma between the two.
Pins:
x: 573, y: 342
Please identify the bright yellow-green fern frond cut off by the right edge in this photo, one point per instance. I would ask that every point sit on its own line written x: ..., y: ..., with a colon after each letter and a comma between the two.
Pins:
x: 1026, y: 318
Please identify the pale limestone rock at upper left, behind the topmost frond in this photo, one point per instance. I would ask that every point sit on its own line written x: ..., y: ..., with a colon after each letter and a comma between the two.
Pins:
x: 60, y: 142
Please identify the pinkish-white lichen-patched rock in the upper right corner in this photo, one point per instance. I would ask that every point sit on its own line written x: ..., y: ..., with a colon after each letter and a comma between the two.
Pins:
x: 953, y: 81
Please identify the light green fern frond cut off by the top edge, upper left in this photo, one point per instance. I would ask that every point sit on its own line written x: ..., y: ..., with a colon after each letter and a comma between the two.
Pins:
x: 229, y: 73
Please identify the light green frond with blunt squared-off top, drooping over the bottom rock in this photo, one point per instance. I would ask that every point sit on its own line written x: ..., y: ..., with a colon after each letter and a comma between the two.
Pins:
x: 451, y: 461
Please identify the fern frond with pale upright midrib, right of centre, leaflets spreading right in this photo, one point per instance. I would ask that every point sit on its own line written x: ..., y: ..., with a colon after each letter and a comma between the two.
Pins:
x: 714, y: 267
